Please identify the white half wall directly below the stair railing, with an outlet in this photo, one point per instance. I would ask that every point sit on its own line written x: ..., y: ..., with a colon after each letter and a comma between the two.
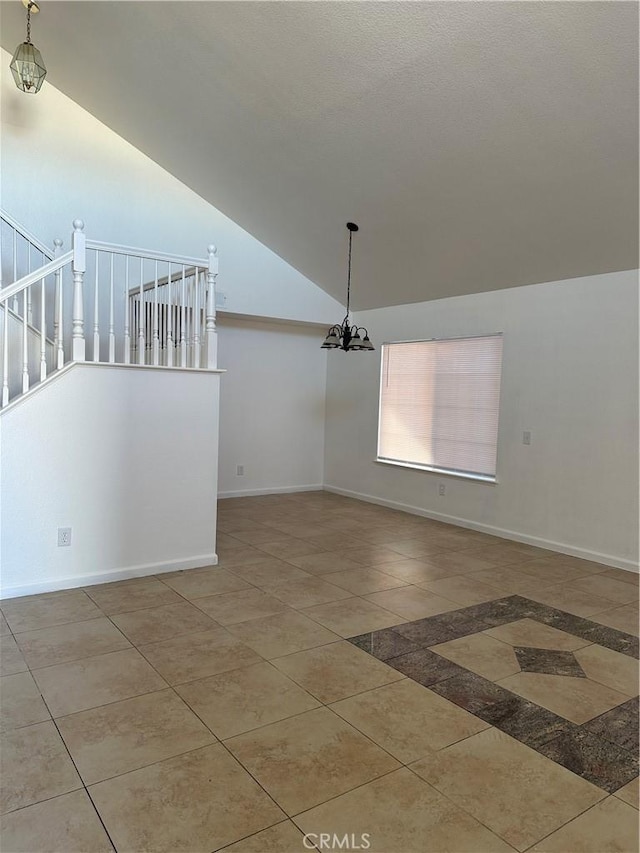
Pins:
x: 126, y: 457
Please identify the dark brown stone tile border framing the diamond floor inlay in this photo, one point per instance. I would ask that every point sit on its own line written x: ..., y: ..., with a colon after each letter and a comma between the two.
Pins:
x: 603, y: 750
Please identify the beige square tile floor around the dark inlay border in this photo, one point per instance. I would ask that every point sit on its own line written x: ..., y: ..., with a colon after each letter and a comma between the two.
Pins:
x: 222, y: 708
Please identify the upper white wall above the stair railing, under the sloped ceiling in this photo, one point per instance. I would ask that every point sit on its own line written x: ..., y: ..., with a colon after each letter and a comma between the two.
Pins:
x: 59, y: 163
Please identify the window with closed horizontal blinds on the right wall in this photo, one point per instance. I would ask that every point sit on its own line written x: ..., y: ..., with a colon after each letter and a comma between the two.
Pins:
x: 439, y: 404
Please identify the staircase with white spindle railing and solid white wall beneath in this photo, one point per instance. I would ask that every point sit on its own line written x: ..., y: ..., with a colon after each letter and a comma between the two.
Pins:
x: 109, y: 410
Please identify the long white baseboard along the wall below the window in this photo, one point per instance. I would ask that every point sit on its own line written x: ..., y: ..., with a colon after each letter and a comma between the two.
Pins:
x: 515, y: 536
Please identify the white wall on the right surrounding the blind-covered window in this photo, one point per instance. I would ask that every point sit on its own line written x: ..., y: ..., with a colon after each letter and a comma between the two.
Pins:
x: 570, y: 376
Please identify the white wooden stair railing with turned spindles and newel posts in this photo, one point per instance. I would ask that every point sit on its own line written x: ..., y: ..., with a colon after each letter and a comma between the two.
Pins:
x: 102, y: 303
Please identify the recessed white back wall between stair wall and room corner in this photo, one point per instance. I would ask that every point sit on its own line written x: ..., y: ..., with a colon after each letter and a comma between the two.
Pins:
x: 271, y: 406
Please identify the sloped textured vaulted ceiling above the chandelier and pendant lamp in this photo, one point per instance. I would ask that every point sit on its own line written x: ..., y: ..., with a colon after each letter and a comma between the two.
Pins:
x: 478, y: 145
